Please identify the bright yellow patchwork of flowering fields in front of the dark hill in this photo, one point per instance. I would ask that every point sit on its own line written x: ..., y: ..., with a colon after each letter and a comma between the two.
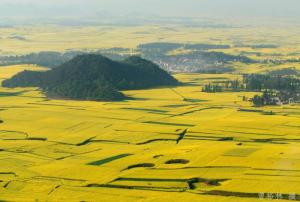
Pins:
x: 168, y: 144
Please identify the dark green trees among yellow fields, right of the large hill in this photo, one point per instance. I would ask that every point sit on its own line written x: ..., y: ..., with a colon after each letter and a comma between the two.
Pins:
x: 276, y: 89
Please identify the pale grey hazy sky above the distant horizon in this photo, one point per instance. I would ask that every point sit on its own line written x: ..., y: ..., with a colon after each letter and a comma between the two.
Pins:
x: 216, y: 8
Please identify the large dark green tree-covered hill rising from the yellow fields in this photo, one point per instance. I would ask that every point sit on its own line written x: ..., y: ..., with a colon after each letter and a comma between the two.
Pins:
x: 94, y: 77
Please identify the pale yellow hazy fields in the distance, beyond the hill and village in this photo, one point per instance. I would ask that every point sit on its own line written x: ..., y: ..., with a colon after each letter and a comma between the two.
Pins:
x: 26, y: 39
